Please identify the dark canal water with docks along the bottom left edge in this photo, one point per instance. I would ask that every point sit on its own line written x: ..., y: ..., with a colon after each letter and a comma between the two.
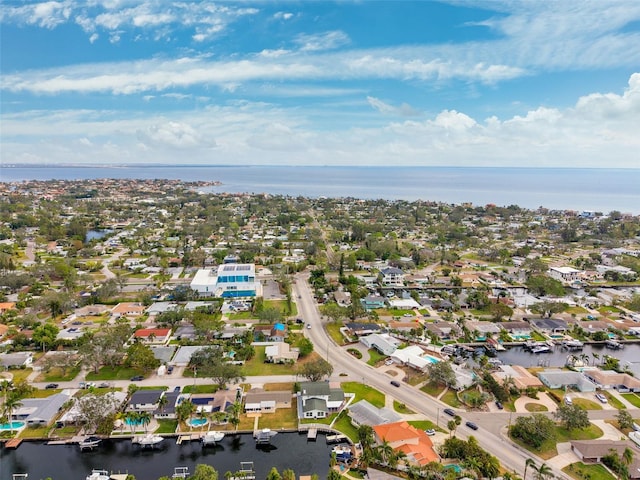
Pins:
x: 66, y: 462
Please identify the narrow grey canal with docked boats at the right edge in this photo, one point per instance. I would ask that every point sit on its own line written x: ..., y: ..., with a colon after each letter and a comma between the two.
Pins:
x: 558, y: 356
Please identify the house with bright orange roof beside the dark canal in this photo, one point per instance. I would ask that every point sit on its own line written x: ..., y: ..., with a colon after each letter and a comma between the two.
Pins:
x: 414, y: 442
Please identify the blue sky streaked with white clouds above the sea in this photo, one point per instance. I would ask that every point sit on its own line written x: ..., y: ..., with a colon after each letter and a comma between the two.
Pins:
x: 457, y: 83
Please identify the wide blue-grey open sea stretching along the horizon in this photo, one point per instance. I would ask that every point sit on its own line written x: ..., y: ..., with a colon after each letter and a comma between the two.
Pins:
x: 579, y: 189
